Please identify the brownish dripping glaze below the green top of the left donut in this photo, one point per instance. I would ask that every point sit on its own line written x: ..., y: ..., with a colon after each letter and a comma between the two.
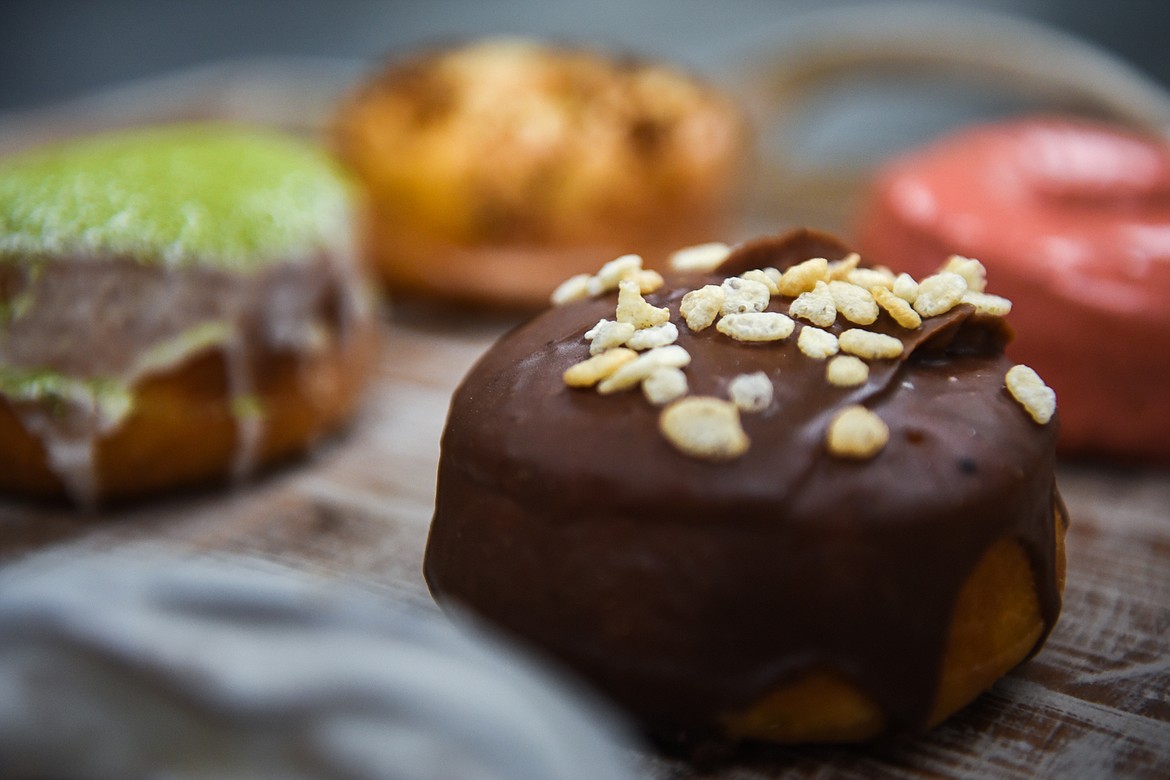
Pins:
x: 79, y: 334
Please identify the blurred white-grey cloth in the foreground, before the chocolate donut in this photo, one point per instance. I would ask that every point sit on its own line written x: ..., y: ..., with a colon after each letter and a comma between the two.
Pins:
x: 201, y: 668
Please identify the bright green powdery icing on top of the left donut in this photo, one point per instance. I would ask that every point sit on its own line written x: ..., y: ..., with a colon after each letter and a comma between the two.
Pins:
x: 187, y: 195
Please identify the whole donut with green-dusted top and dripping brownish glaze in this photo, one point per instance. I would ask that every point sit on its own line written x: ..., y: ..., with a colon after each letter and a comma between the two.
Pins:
x: 177, y: 306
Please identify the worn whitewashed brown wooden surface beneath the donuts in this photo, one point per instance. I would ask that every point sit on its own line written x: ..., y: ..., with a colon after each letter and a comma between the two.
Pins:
x: 1095, y: 703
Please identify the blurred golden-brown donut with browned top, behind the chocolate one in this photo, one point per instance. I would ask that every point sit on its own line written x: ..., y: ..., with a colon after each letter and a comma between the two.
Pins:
x: 497, y: 169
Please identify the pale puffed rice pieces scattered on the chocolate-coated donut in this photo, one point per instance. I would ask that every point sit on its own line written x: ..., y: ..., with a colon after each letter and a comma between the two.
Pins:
x: 740, y: 308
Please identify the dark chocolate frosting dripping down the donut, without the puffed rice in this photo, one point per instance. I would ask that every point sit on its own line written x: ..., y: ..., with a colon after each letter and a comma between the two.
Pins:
x: 687, y: 589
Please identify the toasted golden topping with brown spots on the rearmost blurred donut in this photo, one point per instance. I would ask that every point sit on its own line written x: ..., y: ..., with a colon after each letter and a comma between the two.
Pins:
x: 510, y: 140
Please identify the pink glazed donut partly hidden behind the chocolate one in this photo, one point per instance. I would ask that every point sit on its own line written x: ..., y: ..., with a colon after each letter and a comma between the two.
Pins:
x: 1072, y: 219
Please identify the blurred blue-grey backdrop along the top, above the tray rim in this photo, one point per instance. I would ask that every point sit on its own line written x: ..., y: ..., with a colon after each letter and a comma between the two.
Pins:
x: 56, y: 50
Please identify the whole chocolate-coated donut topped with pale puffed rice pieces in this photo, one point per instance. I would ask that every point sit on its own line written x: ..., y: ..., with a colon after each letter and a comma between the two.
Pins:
x: 717, y: 526
